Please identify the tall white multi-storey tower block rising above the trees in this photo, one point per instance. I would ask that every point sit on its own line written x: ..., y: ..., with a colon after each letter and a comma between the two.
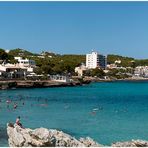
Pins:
x: 94, y: 60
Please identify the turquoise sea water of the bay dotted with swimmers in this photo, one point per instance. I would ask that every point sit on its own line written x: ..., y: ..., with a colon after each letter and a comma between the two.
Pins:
x: 106, y: 111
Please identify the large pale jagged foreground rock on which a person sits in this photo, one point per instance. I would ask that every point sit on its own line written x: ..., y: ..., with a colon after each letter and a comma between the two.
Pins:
x: 42, y: 137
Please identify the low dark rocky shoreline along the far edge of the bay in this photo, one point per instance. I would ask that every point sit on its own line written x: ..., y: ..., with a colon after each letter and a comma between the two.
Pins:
x: 13, y: 84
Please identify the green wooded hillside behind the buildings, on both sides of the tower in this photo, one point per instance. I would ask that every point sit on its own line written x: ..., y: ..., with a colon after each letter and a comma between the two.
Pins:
x: 51, y: 63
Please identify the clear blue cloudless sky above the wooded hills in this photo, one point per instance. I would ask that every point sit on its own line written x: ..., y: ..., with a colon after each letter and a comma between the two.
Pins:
x: 76, y: 27
